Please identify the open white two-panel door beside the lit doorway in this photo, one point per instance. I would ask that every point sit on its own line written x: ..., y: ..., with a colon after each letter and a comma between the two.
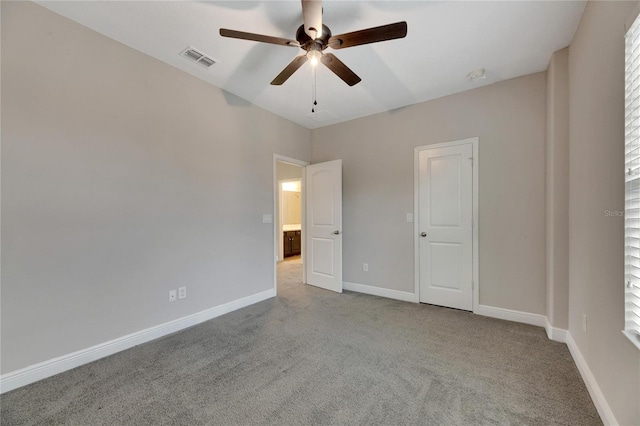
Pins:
x: 324, y: 225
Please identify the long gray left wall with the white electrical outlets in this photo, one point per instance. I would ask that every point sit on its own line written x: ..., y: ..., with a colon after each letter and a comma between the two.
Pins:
x: 123, y: 178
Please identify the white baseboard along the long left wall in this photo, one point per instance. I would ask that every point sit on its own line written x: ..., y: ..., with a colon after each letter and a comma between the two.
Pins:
x: 42, y: 370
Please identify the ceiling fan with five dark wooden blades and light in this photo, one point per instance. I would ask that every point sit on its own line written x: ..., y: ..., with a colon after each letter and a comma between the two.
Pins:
x: 314, y: 37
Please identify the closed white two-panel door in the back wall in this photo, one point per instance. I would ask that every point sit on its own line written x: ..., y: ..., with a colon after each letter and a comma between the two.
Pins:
x: 445, y: 226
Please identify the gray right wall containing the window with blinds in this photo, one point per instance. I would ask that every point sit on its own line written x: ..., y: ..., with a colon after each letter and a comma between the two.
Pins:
x: 596, y: 242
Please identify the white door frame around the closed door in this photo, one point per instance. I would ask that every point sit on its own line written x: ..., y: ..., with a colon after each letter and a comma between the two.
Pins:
x: 416, y: 214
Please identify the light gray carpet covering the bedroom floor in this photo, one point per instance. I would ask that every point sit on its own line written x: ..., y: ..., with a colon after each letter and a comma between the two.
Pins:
x: 310, y: 356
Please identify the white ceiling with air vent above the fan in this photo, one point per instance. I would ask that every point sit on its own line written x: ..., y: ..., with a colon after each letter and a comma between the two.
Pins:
x: 445, y: 41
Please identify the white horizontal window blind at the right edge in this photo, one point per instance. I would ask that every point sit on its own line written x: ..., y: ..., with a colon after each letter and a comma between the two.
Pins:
x: 632, y: 179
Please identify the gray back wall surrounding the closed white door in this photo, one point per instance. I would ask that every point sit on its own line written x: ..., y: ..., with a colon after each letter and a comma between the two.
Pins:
x: 377, y: 151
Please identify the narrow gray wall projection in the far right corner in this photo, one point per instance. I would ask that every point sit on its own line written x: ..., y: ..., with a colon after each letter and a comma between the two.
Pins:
x: 557, y: 190
